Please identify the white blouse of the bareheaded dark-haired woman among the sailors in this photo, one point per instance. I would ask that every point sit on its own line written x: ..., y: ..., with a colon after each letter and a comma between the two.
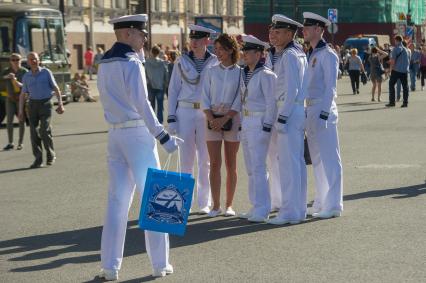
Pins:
x: 221, y: 89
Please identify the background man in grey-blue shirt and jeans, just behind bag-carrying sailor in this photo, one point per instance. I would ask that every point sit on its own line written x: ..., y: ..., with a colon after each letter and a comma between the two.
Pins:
x: 157, y: 79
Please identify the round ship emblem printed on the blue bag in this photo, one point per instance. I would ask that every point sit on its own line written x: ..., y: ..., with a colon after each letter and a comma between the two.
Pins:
x: 166, y: 205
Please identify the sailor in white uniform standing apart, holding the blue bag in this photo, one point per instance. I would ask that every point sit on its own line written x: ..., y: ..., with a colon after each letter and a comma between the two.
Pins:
x: 131, y: 144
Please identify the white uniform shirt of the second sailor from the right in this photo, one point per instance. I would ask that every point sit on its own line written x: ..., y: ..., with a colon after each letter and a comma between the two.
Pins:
x: 289, y: 68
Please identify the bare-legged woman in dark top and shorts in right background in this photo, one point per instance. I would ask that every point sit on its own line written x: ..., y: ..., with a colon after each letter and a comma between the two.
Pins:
x: 377, y: 71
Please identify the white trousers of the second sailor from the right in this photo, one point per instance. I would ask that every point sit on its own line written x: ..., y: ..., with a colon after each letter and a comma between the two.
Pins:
x: 292, y: 167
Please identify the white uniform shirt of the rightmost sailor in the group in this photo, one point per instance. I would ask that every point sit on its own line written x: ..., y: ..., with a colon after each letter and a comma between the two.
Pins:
x: 320, y: 79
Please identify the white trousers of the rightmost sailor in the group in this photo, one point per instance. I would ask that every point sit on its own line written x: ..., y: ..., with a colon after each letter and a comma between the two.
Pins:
x: 325, y: 155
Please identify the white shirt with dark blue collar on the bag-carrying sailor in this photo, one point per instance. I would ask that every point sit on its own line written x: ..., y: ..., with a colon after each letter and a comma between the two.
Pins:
x: 122, y: 88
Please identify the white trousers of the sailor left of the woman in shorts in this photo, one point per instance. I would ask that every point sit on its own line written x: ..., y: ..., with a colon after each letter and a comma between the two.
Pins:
x: 192, y: 129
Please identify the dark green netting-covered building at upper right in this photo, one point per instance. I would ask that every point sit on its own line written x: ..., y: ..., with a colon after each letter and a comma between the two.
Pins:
x: 388, y: 17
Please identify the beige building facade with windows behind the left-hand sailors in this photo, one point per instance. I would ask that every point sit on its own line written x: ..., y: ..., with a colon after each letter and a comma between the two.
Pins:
x: 169, y: 20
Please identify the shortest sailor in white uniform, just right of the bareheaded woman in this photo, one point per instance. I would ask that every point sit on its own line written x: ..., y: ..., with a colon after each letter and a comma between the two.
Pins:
x: 258, y: 116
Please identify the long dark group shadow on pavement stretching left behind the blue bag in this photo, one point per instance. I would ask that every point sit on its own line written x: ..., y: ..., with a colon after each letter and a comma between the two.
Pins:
x: 49, y: 246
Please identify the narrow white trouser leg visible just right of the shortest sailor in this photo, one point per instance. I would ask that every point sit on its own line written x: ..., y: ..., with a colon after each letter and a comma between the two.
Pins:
x: 273, y: 171
